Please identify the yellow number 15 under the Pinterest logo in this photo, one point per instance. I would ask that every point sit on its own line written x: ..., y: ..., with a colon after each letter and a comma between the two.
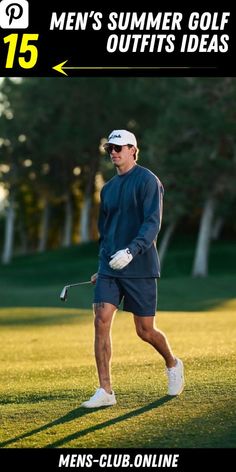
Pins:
x: 30, y: 59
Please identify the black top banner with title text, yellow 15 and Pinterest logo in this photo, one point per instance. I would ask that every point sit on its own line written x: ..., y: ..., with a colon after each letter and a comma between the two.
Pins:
x: 73, y: 39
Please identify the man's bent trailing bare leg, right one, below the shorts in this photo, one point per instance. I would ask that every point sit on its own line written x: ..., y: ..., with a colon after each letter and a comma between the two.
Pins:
x: 146, y: 330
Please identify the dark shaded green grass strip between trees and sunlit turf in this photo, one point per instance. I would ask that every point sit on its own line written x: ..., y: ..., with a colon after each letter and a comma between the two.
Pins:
x: 37, y: 279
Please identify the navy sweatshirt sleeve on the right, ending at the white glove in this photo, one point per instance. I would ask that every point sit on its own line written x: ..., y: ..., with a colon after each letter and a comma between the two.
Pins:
x: 152, y: 217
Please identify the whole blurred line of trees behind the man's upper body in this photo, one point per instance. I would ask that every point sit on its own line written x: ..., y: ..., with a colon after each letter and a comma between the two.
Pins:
x: 52, y: 164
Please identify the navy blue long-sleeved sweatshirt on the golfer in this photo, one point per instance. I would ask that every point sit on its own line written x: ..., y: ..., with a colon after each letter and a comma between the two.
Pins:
x: 130, y: 217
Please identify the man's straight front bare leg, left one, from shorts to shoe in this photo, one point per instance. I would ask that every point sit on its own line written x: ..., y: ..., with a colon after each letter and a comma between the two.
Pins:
x: 103, y: 316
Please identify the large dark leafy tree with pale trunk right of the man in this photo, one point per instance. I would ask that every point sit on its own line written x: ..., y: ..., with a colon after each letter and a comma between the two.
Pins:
x: 193, y: 135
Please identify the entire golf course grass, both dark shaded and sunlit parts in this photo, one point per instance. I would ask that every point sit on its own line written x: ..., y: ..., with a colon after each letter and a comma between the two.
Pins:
x: 47, y: 367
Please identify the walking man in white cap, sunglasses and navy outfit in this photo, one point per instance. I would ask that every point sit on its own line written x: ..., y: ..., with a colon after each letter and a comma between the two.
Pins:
x: 129, y: 222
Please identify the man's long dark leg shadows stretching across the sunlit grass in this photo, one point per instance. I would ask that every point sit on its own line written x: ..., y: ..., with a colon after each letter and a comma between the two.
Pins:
x: 79, y: 413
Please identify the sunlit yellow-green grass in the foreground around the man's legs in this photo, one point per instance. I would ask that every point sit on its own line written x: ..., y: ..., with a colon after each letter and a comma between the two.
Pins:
x: 47, y: 370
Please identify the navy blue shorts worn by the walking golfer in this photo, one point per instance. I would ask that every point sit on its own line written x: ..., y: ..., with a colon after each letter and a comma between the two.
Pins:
x: 139, y: 295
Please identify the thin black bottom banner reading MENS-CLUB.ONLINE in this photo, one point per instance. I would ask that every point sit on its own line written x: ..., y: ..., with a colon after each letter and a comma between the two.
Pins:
x: 179, y: 460
